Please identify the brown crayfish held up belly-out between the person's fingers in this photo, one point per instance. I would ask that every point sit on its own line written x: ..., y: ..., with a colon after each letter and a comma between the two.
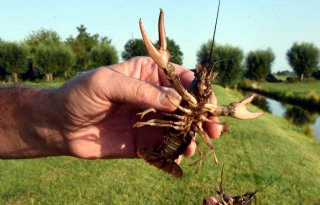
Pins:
x: 186, y: 122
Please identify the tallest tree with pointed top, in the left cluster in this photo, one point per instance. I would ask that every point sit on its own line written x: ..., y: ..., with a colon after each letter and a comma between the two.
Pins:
x: 81, y: 46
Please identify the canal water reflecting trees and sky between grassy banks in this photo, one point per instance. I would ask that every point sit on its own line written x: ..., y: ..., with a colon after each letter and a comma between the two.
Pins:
x: 305, y: 119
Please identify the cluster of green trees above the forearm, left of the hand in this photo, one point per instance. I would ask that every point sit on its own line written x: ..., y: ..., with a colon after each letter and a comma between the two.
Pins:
x: 46, y: 54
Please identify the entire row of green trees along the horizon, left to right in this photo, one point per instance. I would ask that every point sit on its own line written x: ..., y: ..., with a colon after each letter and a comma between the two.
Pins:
x: 42, y: 54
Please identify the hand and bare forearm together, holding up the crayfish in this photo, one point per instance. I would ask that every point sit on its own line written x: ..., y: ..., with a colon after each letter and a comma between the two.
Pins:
x: 90, y: 116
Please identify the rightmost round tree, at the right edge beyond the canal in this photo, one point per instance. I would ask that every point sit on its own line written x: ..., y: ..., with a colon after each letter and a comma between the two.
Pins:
x: 303, y: 58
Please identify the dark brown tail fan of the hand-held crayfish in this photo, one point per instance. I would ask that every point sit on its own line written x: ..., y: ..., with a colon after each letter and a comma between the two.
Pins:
x: 154, y: 158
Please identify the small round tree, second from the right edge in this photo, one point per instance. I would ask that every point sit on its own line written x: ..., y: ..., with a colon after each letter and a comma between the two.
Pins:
x: 259, y: 63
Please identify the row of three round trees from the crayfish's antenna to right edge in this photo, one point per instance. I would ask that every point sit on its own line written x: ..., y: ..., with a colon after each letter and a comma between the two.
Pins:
x: 256, y: 65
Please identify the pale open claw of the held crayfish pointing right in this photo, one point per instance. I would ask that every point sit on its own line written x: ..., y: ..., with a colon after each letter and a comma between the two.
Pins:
x: 241, y: 112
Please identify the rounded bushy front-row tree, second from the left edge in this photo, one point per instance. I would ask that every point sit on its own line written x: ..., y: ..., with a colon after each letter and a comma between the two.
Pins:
x: 53, y: 59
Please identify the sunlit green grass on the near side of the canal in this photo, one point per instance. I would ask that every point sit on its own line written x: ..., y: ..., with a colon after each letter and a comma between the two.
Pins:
x: 254, y: 153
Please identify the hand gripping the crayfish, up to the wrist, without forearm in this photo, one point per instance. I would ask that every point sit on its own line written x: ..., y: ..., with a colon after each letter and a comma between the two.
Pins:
x: 98, y: 109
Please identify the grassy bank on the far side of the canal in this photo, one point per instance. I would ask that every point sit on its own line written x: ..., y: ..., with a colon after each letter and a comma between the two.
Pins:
x: 304, y: 93
